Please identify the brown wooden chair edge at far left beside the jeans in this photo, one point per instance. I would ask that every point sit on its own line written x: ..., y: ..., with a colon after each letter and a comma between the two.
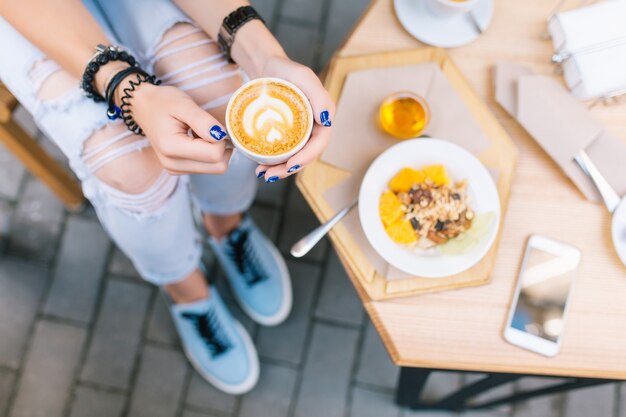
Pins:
x: 34, y: 157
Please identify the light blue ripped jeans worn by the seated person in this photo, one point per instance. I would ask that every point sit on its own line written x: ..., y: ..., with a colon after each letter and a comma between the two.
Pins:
x: 146, y: 211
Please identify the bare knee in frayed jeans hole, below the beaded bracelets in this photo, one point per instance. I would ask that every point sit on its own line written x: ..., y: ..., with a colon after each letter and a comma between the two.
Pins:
x: 128, y: 167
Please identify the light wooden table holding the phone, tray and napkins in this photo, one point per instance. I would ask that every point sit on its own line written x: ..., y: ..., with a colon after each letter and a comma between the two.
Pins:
x: 462, y: 329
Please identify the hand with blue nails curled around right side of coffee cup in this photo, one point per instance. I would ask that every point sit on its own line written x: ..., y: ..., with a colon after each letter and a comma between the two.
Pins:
x: 323, y: 112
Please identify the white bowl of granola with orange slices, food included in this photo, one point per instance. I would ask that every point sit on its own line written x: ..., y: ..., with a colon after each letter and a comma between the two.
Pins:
x: 448, y: 215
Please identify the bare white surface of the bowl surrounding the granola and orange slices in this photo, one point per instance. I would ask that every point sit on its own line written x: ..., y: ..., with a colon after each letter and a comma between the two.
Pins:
x: 460, y: 165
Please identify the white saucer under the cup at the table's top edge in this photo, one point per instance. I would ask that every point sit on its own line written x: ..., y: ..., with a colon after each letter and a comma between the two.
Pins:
x: 448, y: 32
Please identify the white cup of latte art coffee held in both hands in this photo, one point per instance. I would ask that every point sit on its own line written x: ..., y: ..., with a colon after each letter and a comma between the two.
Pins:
x: 269, y: 120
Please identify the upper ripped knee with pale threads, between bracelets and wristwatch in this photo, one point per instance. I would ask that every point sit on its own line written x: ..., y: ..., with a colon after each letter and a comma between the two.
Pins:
x: 189, y: 59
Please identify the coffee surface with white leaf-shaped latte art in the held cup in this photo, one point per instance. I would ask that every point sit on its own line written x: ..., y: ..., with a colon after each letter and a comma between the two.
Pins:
x: 269, y: 118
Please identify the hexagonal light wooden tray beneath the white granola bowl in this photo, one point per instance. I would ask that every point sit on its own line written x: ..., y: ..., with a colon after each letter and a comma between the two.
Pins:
x: 319, y: 177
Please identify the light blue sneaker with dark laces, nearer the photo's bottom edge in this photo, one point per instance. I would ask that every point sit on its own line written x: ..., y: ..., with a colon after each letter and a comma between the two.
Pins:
x: 217, y: 345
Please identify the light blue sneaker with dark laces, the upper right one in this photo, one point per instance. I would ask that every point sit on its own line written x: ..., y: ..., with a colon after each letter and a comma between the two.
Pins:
x: 257, y: 273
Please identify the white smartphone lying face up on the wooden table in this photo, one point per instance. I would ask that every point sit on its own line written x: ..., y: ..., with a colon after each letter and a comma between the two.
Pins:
x: 538, y: 311
